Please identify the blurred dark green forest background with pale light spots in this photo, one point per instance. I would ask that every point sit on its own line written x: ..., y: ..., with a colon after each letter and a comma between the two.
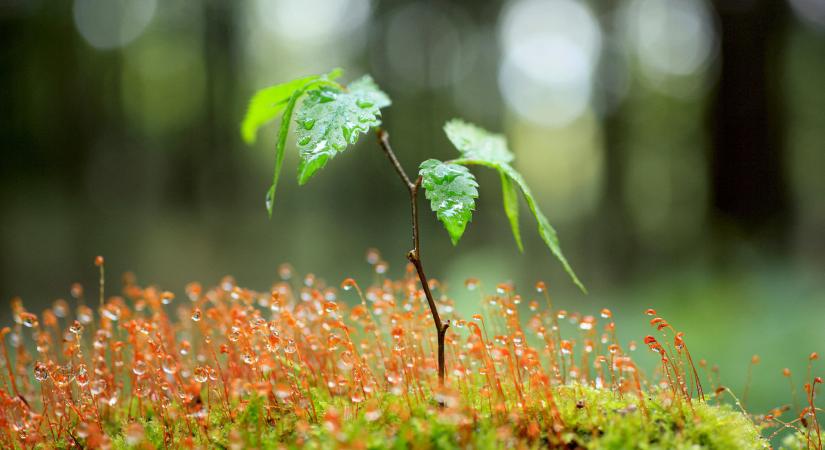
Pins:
x: 677, y: 145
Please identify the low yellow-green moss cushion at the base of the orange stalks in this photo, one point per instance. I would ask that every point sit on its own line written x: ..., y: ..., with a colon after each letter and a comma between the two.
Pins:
x: 593, y: 418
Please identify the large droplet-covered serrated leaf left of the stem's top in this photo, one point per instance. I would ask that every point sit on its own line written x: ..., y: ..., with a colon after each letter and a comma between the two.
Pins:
x: 330, y: 119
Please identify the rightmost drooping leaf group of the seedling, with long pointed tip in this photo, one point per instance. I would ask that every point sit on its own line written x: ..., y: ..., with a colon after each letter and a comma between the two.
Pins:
x: 480, y: 147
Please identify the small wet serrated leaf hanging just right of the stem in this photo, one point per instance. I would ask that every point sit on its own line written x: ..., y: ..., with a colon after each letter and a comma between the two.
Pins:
x: 451, y: 190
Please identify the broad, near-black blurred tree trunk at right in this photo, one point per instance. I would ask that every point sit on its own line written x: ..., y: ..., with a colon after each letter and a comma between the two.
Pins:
x: 749, y: 188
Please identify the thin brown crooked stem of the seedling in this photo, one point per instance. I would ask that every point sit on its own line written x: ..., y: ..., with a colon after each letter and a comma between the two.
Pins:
x: 414, y: 255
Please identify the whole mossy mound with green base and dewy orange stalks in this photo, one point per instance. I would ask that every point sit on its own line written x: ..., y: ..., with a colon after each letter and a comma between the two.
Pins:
x: 305, y: 363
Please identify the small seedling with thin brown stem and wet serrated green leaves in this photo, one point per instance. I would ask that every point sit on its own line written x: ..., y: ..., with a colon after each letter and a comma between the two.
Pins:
x: 332, y: 116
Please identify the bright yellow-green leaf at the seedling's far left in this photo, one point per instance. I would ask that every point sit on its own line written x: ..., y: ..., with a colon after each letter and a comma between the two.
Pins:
x: 267, y: 104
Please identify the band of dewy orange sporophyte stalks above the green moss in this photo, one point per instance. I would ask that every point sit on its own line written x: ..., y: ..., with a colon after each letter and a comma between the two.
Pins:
x: 189, y: 360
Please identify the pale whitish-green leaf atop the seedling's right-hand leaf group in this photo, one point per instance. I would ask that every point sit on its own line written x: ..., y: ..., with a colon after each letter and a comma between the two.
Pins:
x: 477, y: 143
